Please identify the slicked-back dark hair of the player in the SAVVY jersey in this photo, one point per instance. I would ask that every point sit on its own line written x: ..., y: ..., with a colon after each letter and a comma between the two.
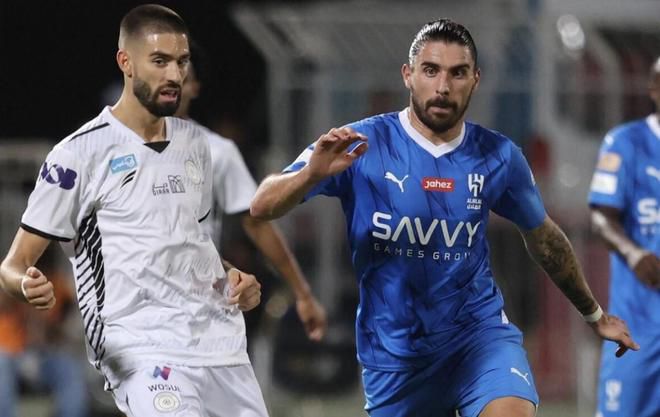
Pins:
x: 445, y: 30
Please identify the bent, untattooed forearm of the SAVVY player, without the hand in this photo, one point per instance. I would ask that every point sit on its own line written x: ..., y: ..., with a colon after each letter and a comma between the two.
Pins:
x: 280, y: 193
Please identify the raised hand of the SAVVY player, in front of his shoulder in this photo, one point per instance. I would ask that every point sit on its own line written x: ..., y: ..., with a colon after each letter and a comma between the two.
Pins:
x: 330, y: 154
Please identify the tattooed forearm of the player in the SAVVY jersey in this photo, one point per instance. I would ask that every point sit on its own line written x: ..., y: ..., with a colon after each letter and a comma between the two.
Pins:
x: 551, y: 249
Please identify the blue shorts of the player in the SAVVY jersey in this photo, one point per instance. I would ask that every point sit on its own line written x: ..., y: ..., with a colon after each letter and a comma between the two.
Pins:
x: 489, y: 363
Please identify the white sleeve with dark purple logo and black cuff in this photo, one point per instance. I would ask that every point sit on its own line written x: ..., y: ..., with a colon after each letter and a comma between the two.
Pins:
x: 54, y: 207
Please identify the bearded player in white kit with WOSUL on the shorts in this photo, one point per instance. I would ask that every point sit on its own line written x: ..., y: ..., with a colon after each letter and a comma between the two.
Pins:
x: 125, y: 194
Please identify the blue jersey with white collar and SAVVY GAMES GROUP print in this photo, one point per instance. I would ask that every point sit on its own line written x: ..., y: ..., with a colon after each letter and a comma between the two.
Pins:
x: 416, y: 215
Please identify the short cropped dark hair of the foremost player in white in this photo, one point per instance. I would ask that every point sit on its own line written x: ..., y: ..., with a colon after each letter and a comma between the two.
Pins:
x: 151, y: 18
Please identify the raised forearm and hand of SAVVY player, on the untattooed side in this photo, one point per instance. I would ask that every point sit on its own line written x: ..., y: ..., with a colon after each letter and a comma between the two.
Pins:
x: 279, y: 193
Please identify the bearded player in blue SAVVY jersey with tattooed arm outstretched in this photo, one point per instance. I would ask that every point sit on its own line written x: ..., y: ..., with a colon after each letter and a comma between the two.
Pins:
x: 416, y: 187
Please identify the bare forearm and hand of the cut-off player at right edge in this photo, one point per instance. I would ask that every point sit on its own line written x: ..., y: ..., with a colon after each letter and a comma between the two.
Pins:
x: 607, y: 225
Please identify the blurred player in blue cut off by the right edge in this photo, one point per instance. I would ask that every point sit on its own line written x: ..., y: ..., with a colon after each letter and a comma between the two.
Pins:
x: 625, y: 213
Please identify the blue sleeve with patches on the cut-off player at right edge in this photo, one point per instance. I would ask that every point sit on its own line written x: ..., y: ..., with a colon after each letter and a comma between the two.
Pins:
x: 608, y: 185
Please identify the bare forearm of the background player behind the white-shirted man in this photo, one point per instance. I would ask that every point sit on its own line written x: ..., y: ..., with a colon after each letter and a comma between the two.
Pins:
x: 269, y: 240
